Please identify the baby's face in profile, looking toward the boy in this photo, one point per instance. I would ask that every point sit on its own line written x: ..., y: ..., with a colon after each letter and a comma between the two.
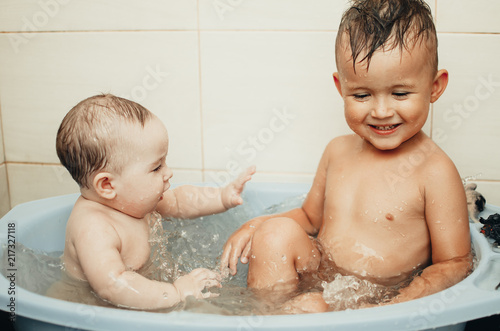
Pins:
x: 145, y: 177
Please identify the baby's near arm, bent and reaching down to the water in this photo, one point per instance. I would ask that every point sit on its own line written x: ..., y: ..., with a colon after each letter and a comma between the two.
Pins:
x: 98, y: 252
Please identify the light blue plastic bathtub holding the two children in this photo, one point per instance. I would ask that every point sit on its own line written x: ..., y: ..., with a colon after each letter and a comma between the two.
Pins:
x: 41, y: 225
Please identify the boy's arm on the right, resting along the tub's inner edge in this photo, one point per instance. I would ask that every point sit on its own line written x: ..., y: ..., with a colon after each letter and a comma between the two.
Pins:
x: 448, y: 224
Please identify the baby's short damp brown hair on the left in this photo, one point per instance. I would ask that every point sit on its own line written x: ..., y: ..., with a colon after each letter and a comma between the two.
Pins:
x: 90, y: 129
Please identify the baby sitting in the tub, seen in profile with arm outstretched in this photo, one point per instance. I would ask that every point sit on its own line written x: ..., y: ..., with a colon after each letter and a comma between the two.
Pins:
x: 115, y: 150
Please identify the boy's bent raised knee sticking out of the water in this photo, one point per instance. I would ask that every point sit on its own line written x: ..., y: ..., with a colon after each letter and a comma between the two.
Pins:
x: 281, y: 249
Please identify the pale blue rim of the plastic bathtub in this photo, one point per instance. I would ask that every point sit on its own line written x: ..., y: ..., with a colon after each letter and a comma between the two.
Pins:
x: 472, y: 304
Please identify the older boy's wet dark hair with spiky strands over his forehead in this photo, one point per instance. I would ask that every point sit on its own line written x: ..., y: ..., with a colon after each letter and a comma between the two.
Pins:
x: 371, y: 24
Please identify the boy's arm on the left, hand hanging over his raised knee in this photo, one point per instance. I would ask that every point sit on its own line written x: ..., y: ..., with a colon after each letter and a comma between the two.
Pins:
x: 309, y: 216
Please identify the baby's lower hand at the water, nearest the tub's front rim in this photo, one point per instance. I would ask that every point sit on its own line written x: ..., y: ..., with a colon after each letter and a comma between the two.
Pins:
x: 195, y: 282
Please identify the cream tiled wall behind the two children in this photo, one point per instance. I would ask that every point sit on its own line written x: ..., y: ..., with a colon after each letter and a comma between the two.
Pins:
x: 236, y: 83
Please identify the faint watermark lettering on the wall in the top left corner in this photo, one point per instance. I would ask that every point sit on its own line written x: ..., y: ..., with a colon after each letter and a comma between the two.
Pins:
x: 48, y: 9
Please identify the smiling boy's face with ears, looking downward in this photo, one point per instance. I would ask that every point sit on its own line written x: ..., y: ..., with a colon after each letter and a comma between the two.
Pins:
x: 388, y: 103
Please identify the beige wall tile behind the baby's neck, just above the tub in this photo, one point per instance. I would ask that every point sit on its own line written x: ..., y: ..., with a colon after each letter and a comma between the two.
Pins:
x: 32, y: 182
